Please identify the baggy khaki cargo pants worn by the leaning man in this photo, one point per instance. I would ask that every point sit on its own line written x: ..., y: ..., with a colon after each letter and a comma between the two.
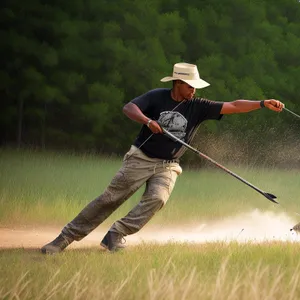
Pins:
x: 137, y: 169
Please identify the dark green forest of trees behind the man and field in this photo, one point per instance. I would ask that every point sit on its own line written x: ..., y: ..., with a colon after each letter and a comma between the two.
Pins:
x: 68, y: 67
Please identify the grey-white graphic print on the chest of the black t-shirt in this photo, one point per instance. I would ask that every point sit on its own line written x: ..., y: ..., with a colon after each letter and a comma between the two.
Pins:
x: 174, y: 122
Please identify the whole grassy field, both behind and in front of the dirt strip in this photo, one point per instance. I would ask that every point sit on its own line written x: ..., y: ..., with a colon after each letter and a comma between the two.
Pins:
x: 48, y: 189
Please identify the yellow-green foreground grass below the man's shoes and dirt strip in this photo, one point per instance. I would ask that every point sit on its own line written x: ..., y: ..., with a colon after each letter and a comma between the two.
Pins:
x: 173, y: 271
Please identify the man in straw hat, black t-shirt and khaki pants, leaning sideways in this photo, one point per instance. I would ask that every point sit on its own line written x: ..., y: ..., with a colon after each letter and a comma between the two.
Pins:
x: 154, y: 158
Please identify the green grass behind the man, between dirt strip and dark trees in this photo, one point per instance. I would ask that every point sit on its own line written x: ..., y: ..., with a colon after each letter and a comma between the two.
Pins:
x: 51, y: 188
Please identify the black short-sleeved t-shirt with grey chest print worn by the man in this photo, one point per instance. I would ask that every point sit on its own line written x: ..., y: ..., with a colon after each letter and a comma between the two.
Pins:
x: 180, y: 118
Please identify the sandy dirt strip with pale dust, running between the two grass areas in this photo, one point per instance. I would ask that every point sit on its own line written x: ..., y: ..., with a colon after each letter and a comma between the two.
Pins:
x: 254, y: 226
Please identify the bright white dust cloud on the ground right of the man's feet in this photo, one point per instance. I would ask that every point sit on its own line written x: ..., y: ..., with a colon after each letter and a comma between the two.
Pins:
x: 255, y: 226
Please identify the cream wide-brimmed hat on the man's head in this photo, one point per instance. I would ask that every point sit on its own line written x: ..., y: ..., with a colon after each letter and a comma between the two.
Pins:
x: 187, y: 73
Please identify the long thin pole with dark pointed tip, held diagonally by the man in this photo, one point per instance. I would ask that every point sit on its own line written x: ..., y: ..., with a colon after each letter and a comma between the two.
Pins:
x: 267, y: 195
